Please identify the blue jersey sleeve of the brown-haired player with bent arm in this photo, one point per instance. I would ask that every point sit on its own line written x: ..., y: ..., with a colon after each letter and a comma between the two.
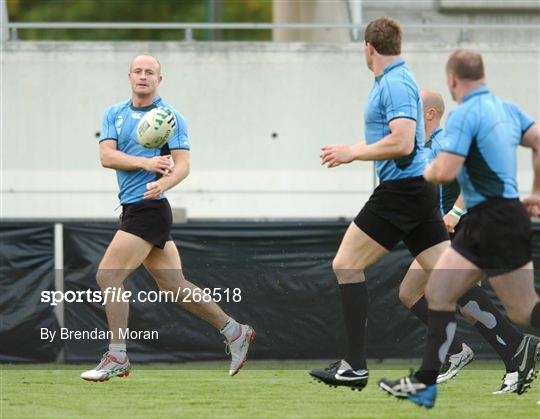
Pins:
x: 399, y: 100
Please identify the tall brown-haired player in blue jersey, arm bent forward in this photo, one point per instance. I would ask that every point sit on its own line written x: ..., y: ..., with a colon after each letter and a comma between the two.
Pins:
x: 403, y: 207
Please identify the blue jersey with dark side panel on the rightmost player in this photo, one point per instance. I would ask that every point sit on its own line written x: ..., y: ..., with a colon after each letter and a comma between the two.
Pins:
x: 486, y: 131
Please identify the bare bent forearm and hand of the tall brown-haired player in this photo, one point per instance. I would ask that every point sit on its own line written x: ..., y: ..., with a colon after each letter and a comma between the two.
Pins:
x: 399, y: 143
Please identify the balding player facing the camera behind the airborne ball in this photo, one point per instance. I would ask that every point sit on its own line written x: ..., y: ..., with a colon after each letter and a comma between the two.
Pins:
x: 144, y: 235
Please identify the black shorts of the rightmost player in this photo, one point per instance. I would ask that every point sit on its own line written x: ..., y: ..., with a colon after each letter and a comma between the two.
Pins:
x: 496, y: 236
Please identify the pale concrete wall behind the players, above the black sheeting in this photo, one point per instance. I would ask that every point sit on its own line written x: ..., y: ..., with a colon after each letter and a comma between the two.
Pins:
x: 234, y: 97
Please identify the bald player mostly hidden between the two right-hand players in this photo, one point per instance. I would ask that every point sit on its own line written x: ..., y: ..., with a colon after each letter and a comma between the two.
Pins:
x: 479, y: 309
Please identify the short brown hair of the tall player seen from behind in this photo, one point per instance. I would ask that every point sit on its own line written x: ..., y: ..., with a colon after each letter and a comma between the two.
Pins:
x: 384, y: 34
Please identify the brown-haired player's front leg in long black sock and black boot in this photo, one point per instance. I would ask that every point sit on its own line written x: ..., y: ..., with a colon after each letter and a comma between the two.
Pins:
x: 356, y: 252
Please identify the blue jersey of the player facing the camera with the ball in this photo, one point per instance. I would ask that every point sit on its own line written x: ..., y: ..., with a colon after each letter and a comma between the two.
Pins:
x: 120, y: 124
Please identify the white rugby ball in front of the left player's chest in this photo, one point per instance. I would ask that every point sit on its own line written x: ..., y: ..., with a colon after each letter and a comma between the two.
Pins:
x: 156, y: 127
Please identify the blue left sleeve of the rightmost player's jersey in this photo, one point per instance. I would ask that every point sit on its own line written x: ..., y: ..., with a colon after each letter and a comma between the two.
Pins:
x: 458, y: 134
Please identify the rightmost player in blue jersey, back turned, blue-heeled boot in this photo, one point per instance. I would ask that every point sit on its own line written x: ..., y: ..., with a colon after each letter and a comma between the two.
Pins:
x: 479, y: 148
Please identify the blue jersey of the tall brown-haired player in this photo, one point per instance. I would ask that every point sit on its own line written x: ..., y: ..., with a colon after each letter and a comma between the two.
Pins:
x: 395, y: 94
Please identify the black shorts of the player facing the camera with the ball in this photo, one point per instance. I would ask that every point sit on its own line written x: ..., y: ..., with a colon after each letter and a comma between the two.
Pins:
x: 149, y: 220
